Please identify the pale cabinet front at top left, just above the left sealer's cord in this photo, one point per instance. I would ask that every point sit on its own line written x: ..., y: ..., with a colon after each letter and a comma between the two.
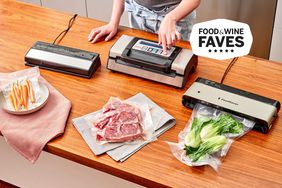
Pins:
x: 71, y: 6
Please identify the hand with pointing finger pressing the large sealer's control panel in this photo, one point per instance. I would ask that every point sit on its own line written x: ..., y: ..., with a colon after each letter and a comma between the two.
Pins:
x: 168, y: 33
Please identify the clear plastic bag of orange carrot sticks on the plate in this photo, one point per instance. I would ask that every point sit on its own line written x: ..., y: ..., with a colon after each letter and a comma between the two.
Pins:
x: 23, y: 93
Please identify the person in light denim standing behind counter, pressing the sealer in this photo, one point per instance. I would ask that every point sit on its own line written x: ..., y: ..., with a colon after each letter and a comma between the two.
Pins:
x: 172, y: 20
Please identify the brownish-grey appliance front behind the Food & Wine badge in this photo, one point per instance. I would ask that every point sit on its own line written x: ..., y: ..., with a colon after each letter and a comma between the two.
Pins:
x: 250, y: 12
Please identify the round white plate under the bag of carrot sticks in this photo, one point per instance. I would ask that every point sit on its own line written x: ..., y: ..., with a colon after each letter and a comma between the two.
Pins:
x: 44, y: 94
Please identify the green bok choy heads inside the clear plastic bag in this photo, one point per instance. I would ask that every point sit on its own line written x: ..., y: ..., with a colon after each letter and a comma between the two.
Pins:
x: 206, y: 135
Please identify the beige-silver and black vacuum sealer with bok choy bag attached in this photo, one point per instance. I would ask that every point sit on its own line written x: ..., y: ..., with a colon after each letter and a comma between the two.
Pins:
x: 260, y: 109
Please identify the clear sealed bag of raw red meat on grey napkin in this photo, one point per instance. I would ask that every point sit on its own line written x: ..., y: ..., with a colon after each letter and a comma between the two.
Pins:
x: 121, y: 121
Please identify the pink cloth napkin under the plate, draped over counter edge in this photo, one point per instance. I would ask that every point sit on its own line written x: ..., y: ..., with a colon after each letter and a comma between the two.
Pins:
x: 28, y: 134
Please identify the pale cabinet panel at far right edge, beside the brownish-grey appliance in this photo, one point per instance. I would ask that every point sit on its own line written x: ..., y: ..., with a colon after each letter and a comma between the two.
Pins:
x: 276, y: 44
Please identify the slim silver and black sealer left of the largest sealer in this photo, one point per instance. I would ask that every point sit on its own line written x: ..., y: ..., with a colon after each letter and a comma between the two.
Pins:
x: 63, y: 59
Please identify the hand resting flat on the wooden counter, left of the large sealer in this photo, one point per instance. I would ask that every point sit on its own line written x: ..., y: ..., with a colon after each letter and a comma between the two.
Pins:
x: 108, y: 31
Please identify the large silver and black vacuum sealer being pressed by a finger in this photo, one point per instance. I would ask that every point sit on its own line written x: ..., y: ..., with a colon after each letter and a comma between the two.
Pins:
x: 144, y: 58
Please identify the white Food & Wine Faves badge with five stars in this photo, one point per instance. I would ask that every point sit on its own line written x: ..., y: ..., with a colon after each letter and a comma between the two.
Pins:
x: 221, y: 39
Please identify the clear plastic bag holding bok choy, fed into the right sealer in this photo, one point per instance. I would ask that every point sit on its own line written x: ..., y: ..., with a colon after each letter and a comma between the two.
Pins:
x: 208, y: 136
